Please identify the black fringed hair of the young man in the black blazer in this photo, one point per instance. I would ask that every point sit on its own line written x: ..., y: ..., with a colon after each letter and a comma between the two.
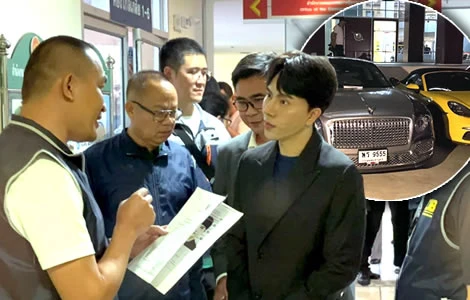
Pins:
x: 310, y: 77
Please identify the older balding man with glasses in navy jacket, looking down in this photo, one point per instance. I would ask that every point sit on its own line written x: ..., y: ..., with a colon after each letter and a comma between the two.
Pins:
x: 142, y: 156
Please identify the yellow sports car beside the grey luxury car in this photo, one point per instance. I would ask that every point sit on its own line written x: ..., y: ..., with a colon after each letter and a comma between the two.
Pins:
x: 450, y: 106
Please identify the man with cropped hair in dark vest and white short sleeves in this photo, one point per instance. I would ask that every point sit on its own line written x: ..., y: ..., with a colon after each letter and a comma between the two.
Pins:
x: 51, y: 228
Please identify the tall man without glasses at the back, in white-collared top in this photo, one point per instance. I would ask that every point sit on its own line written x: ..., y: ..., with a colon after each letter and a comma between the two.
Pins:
x: 183, y: 61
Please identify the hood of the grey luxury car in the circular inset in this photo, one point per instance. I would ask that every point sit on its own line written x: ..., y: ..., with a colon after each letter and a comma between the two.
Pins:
x: 369, y: 102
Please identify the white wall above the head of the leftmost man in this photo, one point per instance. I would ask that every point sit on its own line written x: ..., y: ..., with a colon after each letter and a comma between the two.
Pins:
x: 46, y: 18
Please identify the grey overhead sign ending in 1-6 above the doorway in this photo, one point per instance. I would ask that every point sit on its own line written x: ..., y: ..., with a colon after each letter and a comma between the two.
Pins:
x: 133, y: 13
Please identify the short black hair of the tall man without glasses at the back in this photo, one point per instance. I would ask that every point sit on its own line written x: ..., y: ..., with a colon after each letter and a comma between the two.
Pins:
x: 173, y: 52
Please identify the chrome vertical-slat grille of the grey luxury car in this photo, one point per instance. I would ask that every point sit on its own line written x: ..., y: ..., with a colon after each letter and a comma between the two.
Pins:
x: 370, y: 133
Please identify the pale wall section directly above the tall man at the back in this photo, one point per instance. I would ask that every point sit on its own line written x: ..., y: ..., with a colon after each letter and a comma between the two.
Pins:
x: 190, y: 10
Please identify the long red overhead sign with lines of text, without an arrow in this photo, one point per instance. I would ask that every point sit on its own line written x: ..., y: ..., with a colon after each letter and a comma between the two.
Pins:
x: 282, y: 8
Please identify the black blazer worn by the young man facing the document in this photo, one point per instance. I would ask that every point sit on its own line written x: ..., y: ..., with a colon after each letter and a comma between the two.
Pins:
x: 301, y: 238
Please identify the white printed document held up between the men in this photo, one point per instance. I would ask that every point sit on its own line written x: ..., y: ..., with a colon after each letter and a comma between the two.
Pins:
x: 200, y: 223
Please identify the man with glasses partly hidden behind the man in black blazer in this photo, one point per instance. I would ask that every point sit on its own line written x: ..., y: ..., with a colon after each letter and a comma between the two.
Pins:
x: 249, y: 81
